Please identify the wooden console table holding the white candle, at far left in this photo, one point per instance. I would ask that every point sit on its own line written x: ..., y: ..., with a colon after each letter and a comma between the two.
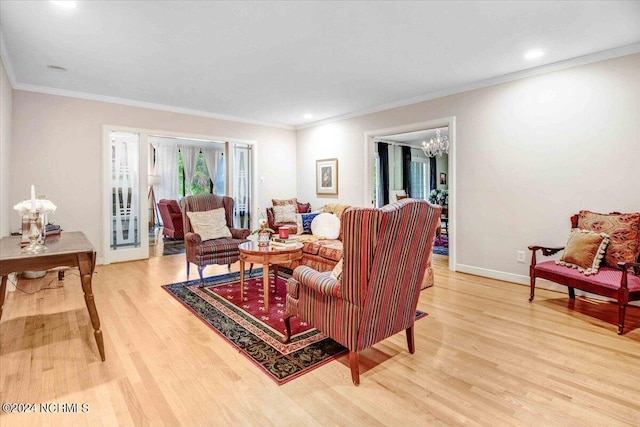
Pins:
x: 69, y: 249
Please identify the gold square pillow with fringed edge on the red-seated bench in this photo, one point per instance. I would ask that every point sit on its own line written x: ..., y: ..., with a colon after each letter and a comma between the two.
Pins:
x: 584, y: 251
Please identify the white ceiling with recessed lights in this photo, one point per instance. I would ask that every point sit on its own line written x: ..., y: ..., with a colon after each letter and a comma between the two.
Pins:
x: 272, y: 62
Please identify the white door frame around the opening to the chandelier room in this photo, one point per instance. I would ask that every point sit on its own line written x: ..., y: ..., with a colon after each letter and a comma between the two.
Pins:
x: 369, y: 158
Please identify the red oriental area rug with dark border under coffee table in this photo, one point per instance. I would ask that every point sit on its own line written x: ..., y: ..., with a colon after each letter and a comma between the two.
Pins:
x: 254, y: 332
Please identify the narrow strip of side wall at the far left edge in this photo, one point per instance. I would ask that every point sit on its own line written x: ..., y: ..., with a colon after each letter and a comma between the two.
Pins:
x: 6, y: 107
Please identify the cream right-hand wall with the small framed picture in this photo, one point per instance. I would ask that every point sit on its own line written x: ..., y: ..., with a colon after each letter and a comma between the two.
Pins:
x: 529, y: 153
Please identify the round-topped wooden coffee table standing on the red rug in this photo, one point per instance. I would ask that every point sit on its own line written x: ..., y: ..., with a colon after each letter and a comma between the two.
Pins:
x: 266, y: 255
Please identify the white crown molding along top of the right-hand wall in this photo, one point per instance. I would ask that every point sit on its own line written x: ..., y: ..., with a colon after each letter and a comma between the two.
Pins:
x: 518, y: 75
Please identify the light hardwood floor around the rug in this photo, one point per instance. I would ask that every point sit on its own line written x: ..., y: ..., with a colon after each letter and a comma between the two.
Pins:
x: 484, y: 356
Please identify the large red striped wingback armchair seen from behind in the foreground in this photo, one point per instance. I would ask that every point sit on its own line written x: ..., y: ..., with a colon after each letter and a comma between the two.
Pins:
x: 385, y: 257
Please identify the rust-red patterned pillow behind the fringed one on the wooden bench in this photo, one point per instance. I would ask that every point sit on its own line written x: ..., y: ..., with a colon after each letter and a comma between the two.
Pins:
x: 623, y: 230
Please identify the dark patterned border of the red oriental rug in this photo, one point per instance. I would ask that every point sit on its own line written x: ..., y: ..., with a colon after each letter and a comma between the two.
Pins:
x: 289, y: 368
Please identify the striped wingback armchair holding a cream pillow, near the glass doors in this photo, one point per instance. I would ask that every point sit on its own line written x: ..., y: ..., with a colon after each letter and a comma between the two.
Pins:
x: 215, y: 251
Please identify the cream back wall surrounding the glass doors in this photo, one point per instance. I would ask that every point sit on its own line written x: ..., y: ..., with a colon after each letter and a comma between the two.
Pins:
x: 57, y: 146
